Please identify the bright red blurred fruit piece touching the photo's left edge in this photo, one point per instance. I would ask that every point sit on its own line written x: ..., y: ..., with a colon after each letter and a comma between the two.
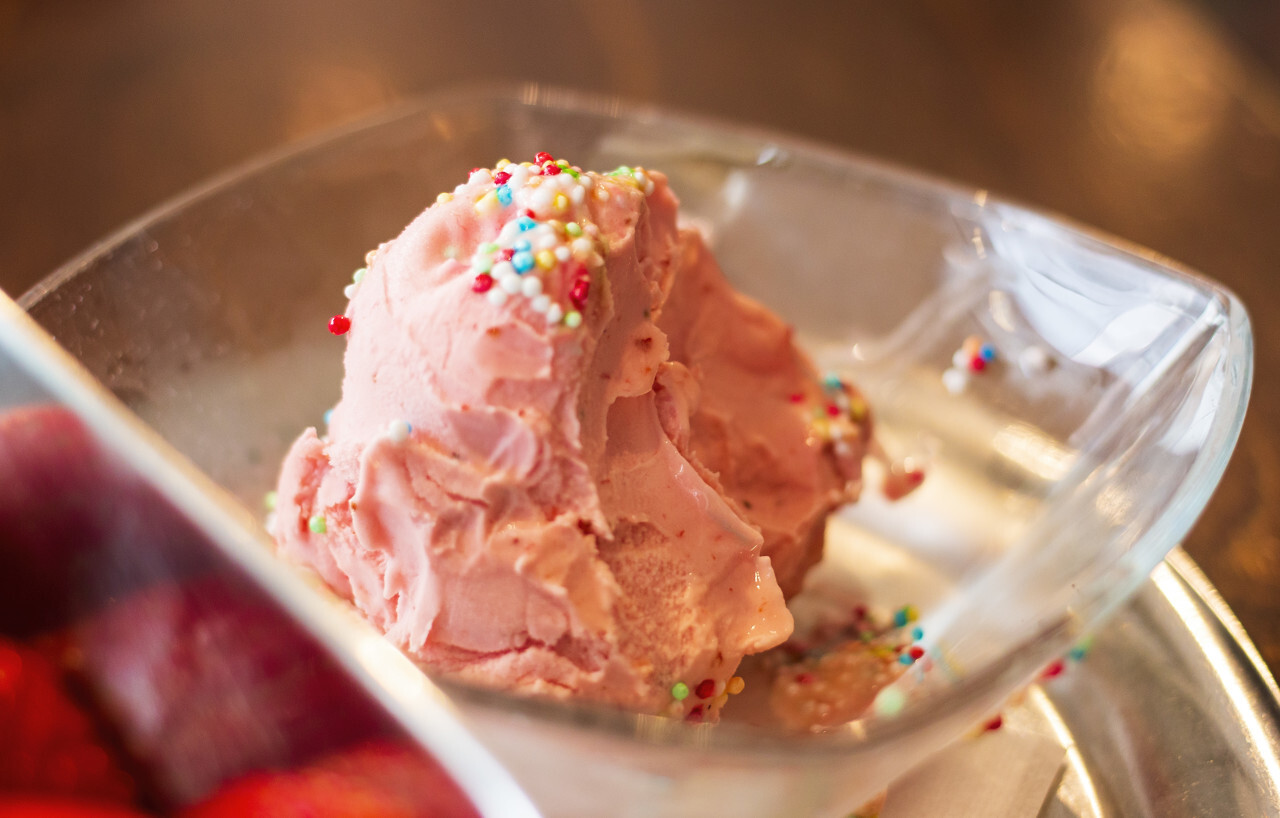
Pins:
x: 49, y: 744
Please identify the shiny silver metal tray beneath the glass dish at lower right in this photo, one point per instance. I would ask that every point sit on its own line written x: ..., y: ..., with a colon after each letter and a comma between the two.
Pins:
x: 1172, y: 715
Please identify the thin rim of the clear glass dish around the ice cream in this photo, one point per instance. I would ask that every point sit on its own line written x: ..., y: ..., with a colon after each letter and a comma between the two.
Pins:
x: 1005, y: 674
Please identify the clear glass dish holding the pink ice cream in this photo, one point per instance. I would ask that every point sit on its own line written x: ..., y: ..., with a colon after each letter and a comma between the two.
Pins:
x: 1058, y: 478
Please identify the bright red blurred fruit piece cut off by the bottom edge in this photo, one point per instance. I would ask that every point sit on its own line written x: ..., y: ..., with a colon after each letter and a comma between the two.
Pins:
x: 376, y: 782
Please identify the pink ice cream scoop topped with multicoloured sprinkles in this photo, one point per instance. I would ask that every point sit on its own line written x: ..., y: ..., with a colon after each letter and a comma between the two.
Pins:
x: 569, y: 459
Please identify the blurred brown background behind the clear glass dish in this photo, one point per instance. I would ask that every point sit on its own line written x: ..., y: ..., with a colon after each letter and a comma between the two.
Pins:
x: 1158, y: 121
